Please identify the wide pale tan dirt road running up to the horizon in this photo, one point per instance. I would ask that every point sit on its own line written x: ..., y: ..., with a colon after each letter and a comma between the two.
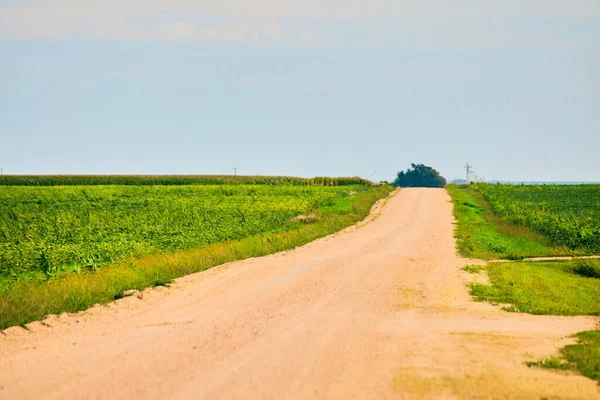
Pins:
x: 375, y: 312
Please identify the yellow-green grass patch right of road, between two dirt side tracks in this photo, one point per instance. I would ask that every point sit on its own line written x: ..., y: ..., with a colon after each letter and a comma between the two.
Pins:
x: 540, y: 288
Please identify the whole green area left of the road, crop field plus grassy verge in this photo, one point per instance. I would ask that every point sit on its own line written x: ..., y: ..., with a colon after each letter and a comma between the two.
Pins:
x: 66, y: 248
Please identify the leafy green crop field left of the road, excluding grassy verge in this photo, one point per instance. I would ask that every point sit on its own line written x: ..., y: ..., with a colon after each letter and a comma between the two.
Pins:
x: 74, y: 228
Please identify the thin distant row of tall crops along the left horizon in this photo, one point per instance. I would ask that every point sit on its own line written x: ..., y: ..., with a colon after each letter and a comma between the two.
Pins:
x: 178, y: 180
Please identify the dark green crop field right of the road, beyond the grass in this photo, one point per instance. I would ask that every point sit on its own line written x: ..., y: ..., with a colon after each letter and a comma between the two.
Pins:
x: 568, y: 214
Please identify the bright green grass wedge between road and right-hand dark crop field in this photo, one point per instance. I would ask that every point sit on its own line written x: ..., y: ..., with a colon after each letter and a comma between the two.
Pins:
x: 481, y: 234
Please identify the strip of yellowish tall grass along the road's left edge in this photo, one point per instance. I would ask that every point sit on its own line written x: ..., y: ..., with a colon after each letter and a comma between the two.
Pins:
x: 27, y: 301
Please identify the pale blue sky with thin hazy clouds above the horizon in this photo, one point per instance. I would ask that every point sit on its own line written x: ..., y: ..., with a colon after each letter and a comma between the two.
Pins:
x: 301, y: 87
